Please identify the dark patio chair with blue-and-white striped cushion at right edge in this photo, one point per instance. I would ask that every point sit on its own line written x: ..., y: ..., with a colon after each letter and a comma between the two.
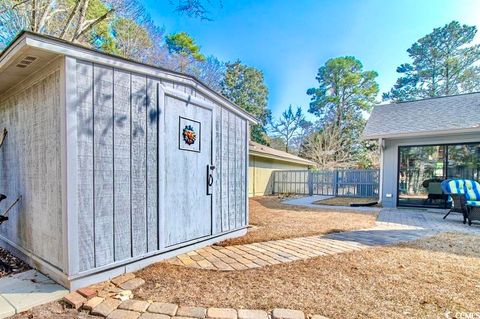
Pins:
x: 465, y: 195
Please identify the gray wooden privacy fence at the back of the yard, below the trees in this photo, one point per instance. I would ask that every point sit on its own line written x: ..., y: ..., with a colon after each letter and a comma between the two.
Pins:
x: 344, y: 182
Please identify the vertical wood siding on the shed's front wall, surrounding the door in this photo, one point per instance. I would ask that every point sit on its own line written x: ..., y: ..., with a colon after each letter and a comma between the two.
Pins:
x: 120, y: 153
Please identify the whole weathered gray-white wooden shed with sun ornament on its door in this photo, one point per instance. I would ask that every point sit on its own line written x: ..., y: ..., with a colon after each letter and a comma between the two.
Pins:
x: 119, y: 164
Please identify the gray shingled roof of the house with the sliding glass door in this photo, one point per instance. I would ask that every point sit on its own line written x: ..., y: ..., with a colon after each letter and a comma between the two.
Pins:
x: 433, y: 116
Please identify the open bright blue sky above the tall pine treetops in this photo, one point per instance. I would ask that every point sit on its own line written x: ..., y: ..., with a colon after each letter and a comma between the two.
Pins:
x: 289, y: 40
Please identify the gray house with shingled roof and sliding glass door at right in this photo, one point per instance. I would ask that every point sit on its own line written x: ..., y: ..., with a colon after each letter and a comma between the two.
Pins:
x: 424, y: 142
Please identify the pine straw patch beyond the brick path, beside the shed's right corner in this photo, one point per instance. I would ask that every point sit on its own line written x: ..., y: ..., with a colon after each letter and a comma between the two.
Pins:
x: 272, y: 220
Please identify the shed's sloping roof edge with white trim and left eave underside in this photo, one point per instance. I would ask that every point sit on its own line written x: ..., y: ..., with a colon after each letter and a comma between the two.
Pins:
x: 45, y: 48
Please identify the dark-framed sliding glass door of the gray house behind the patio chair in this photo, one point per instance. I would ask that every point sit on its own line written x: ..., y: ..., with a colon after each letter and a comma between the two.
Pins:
x: 422, y: 168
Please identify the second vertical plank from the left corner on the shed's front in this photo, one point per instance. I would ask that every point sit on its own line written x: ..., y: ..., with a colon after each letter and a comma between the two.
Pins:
x: 103, y: 164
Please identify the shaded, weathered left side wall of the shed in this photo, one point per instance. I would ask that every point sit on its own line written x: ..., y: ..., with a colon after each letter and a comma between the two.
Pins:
x: 30, y: 164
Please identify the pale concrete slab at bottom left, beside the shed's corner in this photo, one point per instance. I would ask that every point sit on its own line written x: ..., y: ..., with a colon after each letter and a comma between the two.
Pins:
x: 28, y: 289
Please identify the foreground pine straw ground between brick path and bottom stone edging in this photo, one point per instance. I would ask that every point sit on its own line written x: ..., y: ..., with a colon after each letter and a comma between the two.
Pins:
x: 421, y: 279
